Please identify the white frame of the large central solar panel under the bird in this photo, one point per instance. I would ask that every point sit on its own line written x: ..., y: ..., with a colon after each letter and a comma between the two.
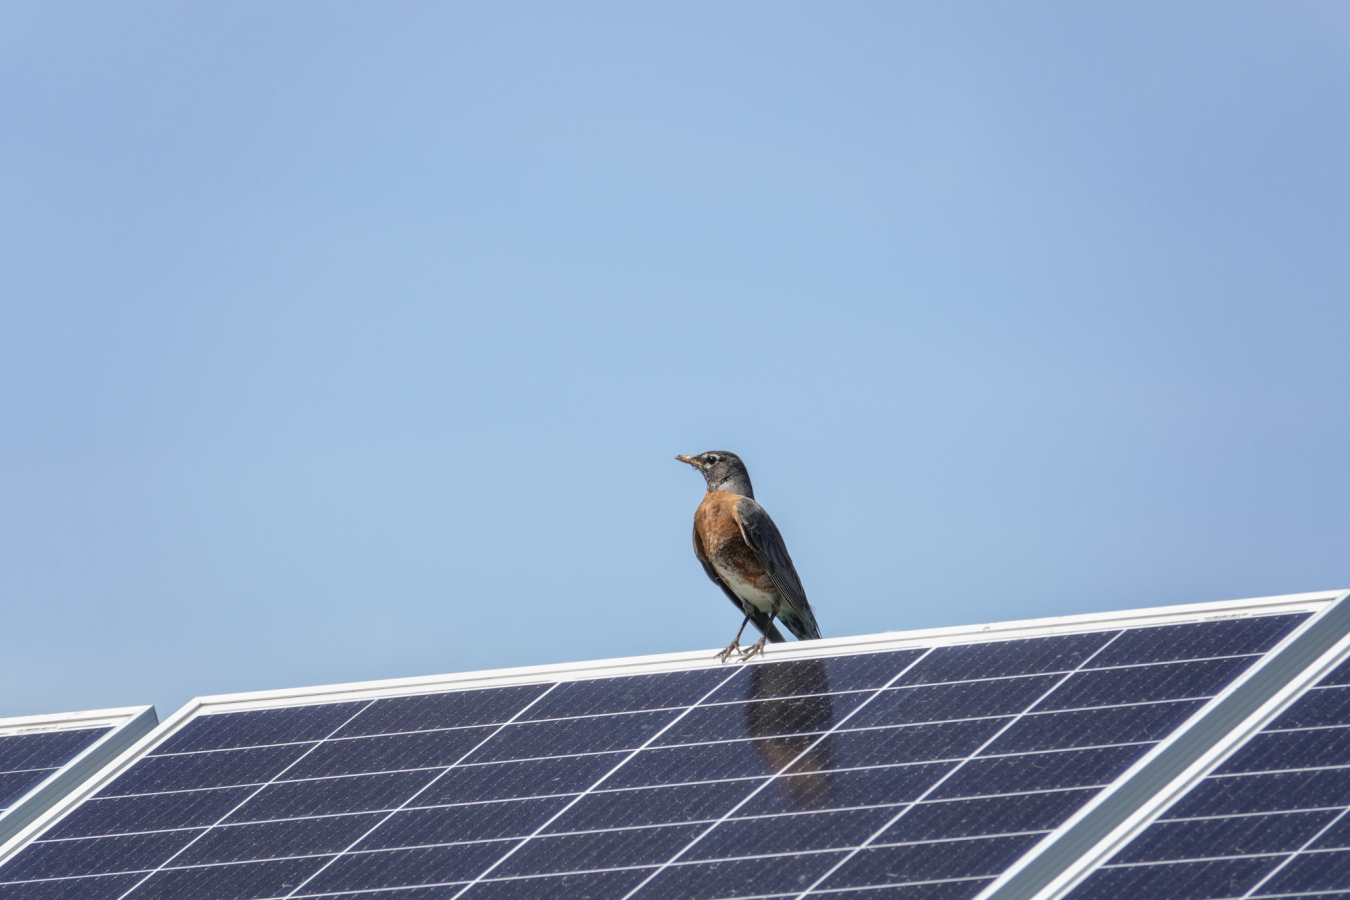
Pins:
x: 1317, y: 604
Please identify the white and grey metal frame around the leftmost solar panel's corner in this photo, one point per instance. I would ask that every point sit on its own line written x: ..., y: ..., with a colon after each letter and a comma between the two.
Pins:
x: 134, y: 724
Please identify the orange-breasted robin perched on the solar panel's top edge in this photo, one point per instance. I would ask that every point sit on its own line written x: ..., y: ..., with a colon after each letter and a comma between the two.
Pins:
x: 745, y: 554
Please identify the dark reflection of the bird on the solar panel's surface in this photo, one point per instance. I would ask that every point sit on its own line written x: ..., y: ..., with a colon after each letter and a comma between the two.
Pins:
x: 785, y: 727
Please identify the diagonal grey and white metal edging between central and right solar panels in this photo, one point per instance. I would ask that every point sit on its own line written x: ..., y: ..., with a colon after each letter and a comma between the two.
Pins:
x: 1156, y: 781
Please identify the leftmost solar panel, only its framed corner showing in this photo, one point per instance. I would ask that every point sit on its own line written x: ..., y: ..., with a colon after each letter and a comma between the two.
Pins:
x: 44, y: 758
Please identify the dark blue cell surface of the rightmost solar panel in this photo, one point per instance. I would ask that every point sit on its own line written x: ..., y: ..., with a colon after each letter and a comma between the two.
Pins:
x: 1270, y: 822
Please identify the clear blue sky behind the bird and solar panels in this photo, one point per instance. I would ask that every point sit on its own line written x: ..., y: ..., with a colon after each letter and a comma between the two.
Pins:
x: 348, y: 342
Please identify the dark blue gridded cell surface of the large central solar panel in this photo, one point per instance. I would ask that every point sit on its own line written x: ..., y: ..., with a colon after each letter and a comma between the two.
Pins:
x: 924, y: 771
